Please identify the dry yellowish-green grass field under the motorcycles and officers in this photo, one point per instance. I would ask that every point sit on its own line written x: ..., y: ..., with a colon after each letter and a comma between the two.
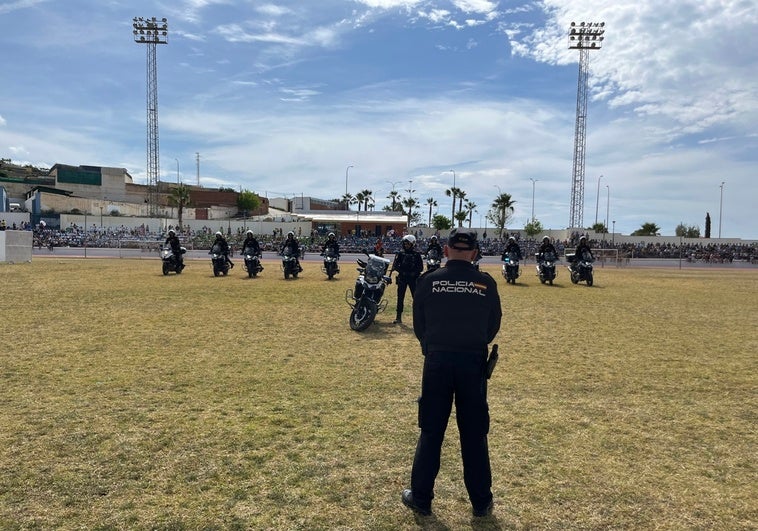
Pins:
x: 131, y: 400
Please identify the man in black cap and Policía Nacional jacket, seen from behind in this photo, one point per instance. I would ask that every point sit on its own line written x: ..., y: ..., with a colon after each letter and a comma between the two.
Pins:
x: 456, y: 314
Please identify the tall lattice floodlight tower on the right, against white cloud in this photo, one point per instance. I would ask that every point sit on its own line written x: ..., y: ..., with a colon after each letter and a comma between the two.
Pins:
x: 583, y: 36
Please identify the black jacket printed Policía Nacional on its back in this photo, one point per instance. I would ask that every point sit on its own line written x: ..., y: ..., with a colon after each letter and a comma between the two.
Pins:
x: 456, y: 309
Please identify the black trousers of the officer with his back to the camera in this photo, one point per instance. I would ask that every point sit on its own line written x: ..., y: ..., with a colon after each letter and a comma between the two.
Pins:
x: 452, y: 376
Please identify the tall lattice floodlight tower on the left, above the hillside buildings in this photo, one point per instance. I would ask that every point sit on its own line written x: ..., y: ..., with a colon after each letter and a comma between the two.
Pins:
x: 151, y: 31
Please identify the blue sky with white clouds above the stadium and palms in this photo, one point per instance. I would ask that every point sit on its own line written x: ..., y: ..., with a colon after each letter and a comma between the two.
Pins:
x: 316, y: 97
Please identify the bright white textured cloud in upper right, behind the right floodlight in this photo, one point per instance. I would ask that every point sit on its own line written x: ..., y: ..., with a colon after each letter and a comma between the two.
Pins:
x: 652, y: 50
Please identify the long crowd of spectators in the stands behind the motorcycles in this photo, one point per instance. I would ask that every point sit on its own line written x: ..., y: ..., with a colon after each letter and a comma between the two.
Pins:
x: 143, y: 237
